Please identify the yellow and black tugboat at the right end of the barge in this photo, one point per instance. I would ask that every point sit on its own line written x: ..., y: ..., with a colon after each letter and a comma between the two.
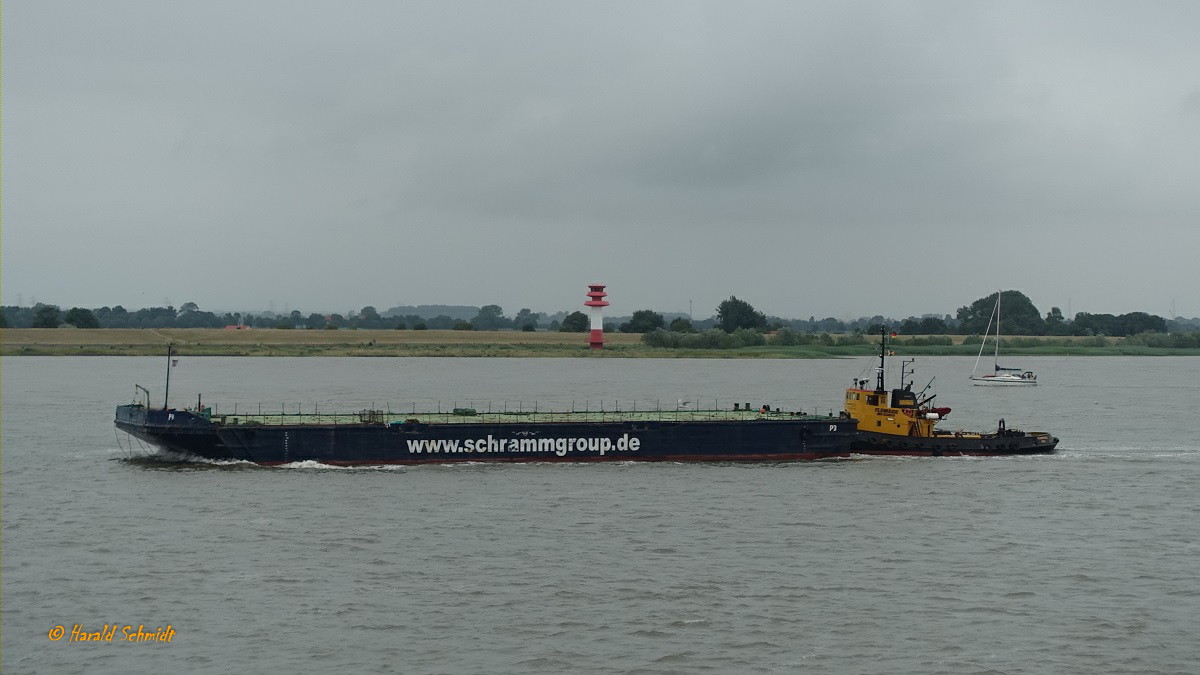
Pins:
x: 903, y: 422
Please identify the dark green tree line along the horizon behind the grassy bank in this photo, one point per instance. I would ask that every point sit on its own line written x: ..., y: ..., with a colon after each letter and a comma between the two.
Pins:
x: 735, y: 315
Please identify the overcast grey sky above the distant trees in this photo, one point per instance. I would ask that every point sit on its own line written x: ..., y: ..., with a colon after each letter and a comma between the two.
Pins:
x: 831, y: 159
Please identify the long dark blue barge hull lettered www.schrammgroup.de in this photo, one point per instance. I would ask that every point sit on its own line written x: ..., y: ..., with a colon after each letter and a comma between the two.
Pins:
x: 779, y: 438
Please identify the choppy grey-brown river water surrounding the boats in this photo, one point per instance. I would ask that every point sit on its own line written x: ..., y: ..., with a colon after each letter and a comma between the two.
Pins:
x: 1084, y: 561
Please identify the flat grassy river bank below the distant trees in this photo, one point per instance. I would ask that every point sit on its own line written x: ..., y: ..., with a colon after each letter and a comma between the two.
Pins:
x: 281, y: 343
